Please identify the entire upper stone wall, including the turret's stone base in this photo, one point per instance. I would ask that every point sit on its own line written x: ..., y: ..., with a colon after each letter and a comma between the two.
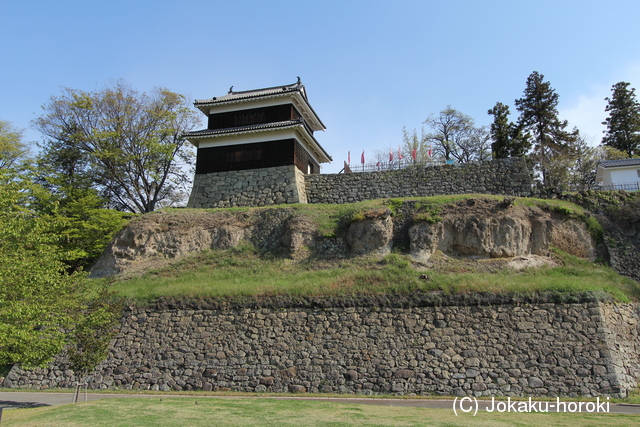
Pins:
x: 287, y: 184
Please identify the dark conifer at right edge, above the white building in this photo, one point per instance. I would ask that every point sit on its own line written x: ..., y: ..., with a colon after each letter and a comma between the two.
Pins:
x: 623, y: 123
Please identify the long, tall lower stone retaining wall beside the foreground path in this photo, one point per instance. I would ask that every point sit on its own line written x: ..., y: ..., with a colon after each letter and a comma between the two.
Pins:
x: 504, y: 348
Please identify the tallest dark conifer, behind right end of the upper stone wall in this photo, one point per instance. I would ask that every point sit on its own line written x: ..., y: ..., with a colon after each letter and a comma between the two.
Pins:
x: 539, y: 117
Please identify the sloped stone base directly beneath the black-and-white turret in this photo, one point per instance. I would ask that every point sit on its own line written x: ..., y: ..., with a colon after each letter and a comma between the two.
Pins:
x: 253, y: 187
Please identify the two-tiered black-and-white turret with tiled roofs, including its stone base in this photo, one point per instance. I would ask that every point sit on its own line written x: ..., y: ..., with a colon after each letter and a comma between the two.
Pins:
x: 257, y: 147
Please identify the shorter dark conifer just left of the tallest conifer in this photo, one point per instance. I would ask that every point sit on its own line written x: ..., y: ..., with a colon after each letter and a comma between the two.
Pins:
x: 507, y: 137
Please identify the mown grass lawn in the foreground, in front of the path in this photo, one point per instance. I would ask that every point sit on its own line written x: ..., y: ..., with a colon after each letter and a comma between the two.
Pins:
x: 273, y: 412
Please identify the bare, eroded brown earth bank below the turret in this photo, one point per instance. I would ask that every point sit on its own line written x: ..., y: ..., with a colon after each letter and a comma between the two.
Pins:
x: 474, y: 228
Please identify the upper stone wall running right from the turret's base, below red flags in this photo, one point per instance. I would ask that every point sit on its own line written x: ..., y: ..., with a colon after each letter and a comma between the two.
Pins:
x: 505, y: 176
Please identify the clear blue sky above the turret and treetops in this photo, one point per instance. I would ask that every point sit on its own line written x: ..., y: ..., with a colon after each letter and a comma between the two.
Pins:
x: 369, y: 67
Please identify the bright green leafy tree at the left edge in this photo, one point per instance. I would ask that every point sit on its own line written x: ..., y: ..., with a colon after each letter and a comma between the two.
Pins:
x: 41, y: 303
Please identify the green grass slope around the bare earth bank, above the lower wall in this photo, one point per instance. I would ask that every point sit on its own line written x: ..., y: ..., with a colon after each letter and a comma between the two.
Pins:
x: 242, y: 271
